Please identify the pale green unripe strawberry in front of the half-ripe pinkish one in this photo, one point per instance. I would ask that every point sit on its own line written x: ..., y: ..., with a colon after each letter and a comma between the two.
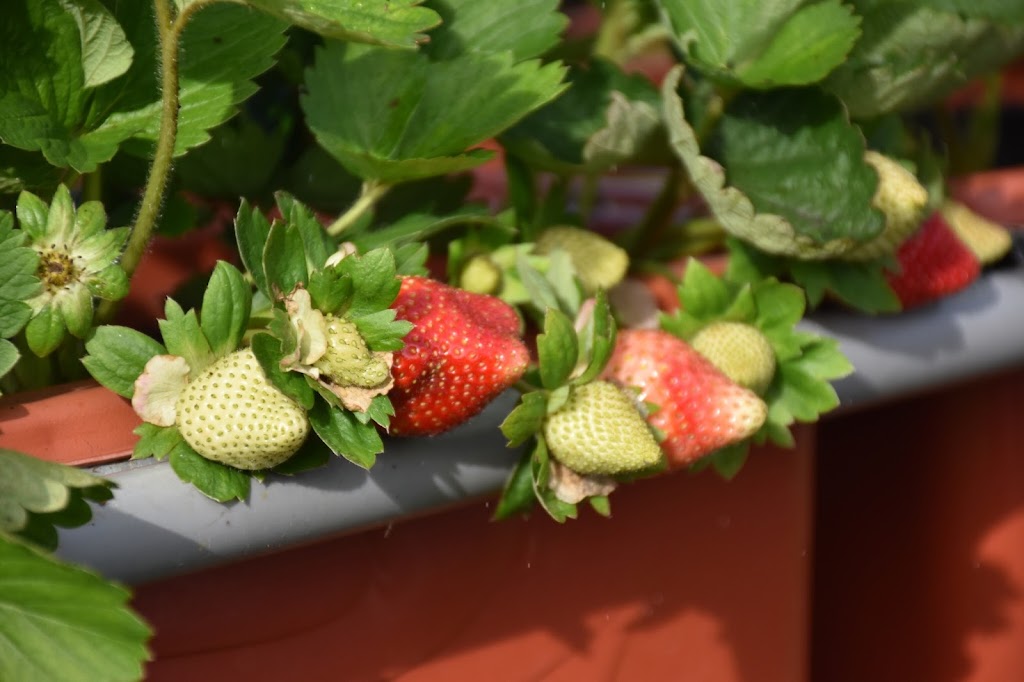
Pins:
x: 600, y: 432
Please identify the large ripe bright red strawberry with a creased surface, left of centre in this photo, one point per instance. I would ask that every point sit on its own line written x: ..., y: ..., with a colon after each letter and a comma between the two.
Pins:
x: 464, y: 351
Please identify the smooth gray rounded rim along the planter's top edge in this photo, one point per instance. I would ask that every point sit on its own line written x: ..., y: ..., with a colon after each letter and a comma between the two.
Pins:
x: 158, y: 527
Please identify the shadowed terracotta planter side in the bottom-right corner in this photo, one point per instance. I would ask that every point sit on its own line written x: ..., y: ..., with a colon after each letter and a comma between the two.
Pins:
x: 920, y: 571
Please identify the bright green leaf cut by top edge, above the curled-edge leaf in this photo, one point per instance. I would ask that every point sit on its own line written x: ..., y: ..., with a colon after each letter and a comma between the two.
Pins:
x: 763, y: 45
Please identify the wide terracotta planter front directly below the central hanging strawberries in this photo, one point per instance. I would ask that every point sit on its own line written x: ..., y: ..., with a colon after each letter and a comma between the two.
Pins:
x: 694, y: 578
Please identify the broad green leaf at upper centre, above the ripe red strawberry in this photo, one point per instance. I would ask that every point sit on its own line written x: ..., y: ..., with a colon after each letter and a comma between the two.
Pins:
x: 396, y: 117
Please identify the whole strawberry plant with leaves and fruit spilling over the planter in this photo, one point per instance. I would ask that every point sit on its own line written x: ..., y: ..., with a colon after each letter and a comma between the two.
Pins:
x: 419, y: 226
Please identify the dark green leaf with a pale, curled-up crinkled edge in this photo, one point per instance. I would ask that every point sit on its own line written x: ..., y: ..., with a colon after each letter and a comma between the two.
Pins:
x: 799, y: 185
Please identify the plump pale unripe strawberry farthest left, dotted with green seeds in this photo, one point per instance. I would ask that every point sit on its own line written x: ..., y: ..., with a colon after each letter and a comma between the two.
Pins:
x: 232, y: 414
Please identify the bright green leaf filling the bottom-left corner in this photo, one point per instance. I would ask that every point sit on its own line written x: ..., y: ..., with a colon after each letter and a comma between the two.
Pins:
x: 59, y: 622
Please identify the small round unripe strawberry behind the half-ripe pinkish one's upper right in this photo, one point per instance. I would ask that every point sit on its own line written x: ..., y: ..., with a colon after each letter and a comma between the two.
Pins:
x: 741, y: 352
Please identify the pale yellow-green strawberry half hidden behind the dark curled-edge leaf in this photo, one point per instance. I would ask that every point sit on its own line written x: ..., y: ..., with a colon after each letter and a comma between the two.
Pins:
x: 904, y: 201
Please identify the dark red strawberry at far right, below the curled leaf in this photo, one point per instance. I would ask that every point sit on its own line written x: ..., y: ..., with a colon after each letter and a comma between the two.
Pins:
x: 933, y: 264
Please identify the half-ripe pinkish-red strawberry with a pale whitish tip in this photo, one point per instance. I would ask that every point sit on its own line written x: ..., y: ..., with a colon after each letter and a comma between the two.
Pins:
x: 698, y: 408
